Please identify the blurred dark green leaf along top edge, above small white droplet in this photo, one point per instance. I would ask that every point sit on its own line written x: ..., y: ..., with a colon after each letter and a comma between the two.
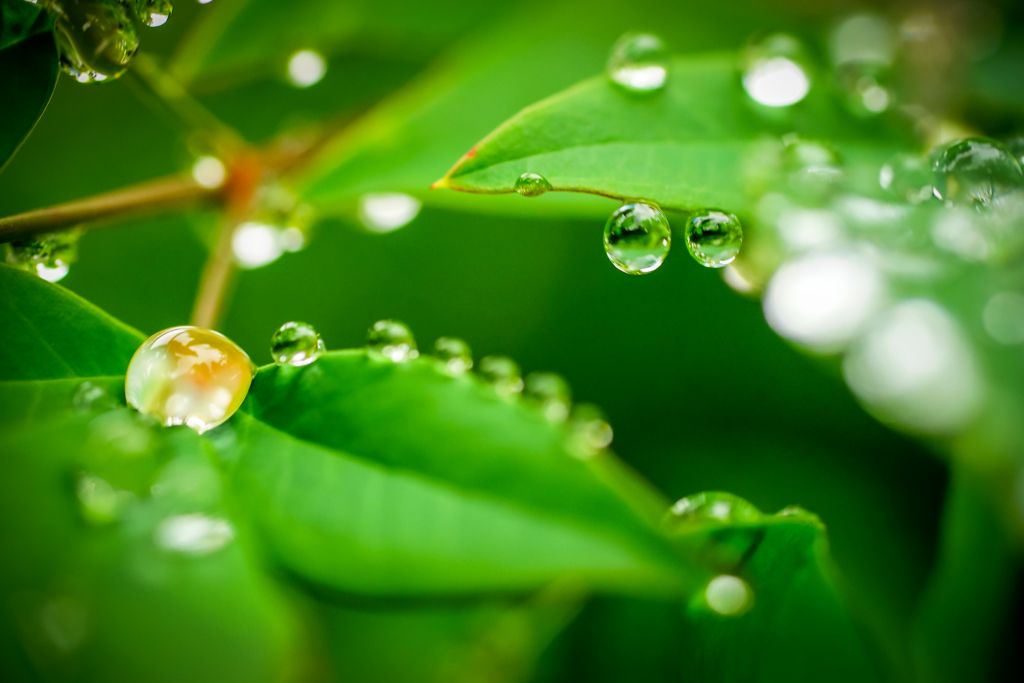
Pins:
x: 260, y: 35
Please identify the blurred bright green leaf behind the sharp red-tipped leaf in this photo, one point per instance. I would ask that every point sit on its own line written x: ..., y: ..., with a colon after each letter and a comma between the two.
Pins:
x: 534, y: 52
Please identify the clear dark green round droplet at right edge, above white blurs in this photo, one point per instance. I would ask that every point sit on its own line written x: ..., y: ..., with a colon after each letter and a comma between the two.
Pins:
x: 978, y: 173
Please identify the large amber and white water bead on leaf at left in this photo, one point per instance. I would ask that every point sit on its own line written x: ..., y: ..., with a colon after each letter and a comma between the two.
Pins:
x: 189, y: 376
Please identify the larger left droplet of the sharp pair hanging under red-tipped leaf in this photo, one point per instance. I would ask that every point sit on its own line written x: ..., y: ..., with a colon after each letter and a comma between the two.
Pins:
x: 637, y: 238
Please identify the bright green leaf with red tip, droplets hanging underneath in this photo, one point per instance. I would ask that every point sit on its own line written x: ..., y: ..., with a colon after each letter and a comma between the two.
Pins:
x: 686, y: 148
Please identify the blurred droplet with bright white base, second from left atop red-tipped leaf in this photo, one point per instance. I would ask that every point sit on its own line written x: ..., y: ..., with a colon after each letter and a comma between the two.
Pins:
x: 775, y: 75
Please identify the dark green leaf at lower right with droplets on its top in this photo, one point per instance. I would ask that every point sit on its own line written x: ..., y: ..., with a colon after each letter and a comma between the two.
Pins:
x: 798, y: 626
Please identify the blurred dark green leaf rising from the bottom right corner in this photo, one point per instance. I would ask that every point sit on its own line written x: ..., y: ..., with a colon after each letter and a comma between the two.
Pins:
x: 968, y: 603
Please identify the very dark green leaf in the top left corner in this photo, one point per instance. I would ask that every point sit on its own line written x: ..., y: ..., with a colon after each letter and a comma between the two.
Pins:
x: 29, y: 63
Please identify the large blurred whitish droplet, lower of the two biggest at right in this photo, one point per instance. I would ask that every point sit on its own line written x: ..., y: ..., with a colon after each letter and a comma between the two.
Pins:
x: 916, y: 368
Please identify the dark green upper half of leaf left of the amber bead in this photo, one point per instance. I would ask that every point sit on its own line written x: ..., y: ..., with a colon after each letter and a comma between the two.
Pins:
x: 50, y: 333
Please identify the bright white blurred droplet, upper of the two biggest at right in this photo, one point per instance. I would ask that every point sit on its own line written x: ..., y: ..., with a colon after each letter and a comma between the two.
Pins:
x: 824, y: 300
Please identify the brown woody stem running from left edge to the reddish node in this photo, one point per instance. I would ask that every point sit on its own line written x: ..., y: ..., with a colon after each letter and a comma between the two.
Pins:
x: 147, y: 198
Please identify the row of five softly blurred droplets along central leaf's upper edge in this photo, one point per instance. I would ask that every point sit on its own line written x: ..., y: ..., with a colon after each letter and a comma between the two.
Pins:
x: 548, y: 394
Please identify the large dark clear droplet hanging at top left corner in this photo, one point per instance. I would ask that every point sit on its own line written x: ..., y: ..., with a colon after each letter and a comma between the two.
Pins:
x: 96, y: 39
